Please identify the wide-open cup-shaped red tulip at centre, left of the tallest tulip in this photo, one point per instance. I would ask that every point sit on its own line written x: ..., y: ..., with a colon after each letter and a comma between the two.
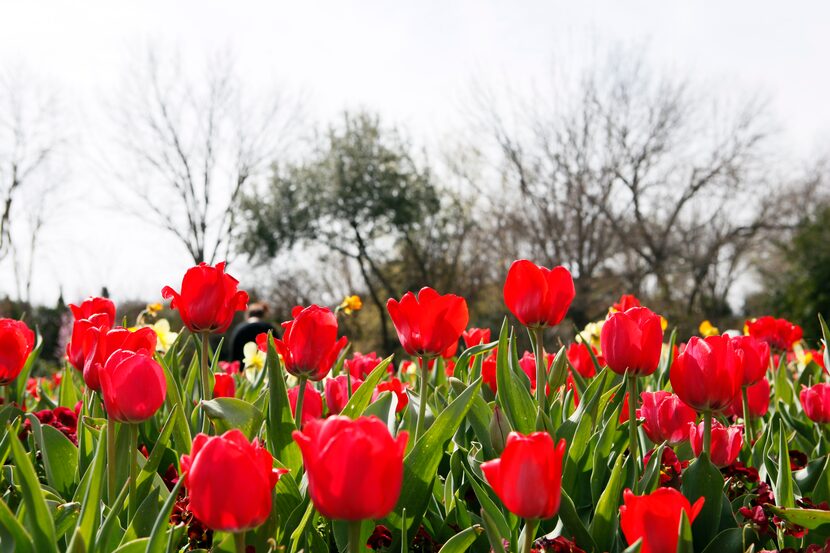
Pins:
x: 430, y: 323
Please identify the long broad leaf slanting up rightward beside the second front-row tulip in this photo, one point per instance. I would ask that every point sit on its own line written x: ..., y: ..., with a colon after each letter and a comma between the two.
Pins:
x: 421, y: 464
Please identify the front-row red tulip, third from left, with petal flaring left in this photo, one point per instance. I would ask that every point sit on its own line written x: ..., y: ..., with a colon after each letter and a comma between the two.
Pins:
x: 528, y: 475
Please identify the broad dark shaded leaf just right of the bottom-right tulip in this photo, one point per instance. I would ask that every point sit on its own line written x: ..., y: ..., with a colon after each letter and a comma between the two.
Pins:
x: 703, y: 479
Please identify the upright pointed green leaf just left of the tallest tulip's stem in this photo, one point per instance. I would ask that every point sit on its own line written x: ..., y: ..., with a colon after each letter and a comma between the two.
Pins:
x: 513, y: 398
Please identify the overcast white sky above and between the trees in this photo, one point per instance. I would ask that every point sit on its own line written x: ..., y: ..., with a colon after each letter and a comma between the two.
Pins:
x: 413, y: 62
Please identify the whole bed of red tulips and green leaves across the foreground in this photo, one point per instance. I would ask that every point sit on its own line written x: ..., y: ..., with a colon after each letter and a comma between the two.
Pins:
x: 626, y: 437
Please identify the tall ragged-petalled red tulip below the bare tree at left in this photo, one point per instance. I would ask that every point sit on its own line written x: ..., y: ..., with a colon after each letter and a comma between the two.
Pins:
x: 208, y: 300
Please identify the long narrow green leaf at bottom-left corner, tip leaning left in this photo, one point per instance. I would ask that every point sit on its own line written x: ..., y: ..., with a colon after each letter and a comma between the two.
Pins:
x: 40, y: 518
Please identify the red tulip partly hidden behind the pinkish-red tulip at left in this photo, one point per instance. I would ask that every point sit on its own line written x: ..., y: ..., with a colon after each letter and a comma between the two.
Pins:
x: 100, y: 343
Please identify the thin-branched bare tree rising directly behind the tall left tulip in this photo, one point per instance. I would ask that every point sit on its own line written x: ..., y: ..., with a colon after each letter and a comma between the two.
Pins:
x: 194, y: 144
